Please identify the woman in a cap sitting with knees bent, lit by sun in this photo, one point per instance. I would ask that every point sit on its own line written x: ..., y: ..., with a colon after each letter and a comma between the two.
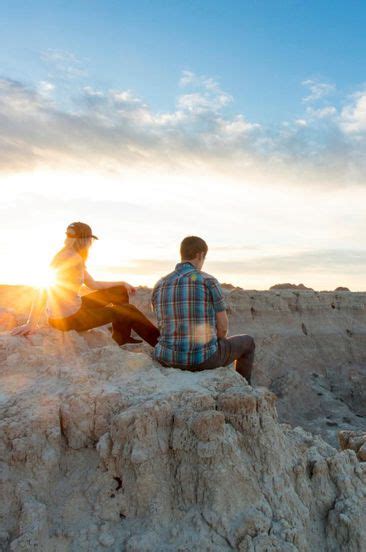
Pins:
x: 67, y: 310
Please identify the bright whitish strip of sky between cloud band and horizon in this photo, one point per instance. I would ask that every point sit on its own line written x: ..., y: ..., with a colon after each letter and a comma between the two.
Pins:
x: 253, y: 229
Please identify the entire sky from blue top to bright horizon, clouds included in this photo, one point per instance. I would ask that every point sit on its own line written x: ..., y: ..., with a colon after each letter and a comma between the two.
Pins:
x: 243, y: 122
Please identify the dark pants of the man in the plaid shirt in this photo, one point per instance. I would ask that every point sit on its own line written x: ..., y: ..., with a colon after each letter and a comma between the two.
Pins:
x: 238, y: 348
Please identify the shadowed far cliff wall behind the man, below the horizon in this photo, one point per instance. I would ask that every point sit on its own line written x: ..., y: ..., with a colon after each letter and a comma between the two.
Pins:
x: 311, y: 352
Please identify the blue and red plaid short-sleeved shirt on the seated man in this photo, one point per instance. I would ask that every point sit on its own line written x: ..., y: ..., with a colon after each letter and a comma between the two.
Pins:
x: 186, y: 302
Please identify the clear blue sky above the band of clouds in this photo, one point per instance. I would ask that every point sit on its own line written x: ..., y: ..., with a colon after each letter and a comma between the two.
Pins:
x: 259, y: 51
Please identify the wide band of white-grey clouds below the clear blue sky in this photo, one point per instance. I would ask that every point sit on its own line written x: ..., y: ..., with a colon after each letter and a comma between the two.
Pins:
x: 109, y: 130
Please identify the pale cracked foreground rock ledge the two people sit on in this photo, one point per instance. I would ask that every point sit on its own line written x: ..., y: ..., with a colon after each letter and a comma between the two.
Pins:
x: 103, y: 449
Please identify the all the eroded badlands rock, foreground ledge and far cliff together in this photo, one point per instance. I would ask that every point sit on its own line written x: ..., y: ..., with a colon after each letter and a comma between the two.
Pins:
x: 103, y: 449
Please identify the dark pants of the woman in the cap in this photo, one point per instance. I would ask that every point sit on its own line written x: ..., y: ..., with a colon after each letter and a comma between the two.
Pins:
x: 110, y: 306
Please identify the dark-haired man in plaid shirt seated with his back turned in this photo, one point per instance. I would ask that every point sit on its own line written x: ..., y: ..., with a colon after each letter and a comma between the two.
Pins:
x: 192, y: 319
